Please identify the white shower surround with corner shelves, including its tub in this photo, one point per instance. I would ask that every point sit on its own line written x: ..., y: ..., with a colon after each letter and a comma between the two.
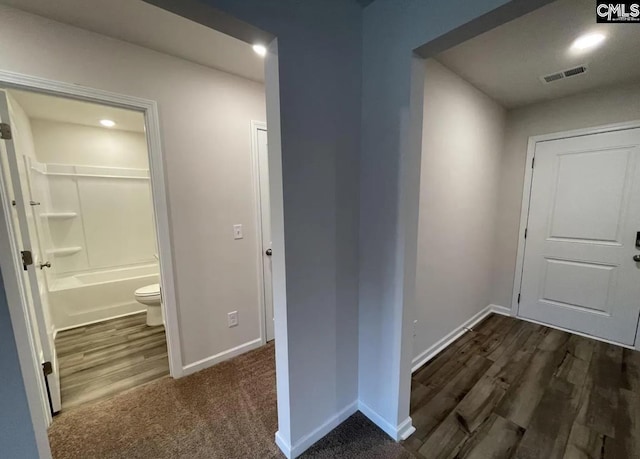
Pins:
x: 97, y: 229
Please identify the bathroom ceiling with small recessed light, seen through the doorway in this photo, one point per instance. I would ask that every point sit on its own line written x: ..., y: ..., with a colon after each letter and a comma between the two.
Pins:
x: 52, y: 108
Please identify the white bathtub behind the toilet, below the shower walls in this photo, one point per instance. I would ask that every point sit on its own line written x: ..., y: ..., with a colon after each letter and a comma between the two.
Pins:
x: 89, y: 297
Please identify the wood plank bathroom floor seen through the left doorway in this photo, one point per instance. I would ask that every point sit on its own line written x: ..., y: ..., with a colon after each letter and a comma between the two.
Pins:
x: 103, y: 359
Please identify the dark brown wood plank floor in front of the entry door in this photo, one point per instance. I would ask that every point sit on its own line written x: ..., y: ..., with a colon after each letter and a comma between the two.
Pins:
x: 513, y: 389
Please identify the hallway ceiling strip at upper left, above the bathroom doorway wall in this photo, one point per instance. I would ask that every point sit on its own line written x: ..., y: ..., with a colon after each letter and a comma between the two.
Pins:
x: 140, y: 23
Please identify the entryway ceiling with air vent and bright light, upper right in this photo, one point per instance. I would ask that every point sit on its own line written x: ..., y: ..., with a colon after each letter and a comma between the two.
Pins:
x: 506, y: 62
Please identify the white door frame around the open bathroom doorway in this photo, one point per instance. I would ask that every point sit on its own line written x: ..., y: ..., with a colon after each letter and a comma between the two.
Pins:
x: 11, y: 80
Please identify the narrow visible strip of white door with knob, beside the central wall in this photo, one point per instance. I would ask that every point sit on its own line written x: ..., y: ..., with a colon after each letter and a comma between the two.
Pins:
x: 265, y: 215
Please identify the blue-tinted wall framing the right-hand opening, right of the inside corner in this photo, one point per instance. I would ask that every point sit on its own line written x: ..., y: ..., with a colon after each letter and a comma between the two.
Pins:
x: 390, y: 180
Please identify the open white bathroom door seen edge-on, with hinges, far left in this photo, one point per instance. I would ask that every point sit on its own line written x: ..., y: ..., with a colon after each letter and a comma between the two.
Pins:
x: 15, y: 175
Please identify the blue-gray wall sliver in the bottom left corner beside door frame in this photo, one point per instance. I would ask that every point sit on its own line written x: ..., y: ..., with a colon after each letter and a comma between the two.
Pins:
x: 17, y: 440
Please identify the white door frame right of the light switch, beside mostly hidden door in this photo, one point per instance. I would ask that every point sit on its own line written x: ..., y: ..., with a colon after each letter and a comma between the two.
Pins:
x: 255, y: 173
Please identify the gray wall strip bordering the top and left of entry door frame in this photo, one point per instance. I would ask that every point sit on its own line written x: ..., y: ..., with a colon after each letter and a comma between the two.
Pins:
x: 596, y: 108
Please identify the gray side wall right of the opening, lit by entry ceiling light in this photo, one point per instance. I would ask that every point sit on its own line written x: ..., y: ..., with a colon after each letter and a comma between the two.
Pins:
x: 462, y: 137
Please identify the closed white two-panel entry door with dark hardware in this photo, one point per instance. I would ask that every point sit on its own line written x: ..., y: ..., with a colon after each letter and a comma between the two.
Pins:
x: 583, y: 233
